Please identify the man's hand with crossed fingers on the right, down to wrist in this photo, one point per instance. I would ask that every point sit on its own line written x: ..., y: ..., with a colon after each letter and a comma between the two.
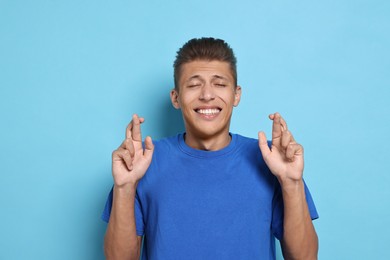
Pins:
x: 285, y: 157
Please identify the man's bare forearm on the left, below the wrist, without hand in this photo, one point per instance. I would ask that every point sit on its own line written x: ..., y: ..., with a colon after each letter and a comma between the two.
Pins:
x: 121, y: 241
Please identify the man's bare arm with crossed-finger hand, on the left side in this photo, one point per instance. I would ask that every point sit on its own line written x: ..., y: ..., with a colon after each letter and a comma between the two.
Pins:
x: 129, y: 164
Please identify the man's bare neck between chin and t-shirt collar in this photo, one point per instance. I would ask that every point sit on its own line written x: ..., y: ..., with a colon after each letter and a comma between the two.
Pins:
x: 214, y: 143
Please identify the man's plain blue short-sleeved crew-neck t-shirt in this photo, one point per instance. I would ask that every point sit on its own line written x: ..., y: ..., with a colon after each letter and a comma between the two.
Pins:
x: 195, y: 204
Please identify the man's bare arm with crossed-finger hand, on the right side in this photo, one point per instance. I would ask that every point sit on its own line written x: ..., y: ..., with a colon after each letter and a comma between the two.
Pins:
x: 285, y: 161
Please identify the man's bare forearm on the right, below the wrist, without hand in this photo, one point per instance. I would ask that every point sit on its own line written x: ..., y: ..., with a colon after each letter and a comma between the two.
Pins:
x: 299, y: 238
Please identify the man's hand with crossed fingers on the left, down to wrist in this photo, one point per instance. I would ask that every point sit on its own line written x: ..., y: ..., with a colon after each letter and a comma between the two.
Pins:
x: 130, y: 161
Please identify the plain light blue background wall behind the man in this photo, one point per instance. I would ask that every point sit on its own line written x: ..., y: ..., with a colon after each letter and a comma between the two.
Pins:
x: 73, y: 72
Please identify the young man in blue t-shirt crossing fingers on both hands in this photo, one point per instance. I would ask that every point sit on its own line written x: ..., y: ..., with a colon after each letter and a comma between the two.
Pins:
x: 207, y: 193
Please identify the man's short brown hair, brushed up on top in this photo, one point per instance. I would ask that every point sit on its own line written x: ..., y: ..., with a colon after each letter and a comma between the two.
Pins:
x: 204, y: 49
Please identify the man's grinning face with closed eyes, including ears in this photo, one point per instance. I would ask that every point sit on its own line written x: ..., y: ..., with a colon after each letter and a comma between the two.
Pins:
x: 206, y: 97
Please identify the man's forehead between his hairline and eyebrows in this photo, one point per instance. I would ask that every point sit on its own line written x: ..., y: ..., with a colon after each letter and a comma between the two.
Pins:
x: 206, y: 69
